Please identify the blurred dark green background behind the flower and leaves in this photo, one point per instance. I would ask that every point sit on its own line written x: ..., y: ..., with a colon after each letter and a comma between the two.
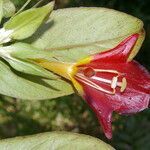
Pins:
x: 71, y: 113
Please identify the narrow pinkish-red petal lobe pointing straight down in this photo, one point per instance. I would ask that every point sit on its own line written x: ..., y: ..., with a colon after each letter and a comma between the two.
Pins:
x: 99, y: 104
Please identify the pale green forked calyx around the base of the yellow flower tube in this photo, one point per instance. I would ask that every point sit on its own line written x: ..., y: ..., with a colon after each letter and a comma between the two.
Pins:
x: 18, y: 55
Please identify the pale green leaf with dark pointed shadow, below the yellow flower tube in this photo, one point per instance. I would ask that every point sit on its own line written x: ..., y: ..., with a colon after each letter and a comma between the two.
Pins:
x: 30, y: 87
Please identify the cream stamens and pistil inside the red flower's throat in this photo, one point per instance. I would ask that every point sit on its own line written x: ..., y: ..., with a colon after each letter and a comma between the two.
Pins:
x: 87, y: 74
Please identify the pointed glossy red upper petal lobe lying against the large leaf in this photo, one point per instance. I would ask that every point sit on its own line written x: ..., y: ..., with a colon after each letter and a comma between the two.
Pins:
x: 120, y: 53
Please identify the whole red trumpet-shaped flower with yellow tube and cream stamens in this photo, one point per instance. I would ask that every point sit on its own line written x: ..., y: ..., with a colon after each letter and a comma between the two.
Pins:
x: 108, y: 82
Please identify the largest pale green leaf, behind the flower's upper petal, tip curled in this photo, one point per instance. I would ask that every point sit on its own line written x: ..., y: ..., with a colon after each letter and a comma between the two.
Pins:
x: 79, y: 32
